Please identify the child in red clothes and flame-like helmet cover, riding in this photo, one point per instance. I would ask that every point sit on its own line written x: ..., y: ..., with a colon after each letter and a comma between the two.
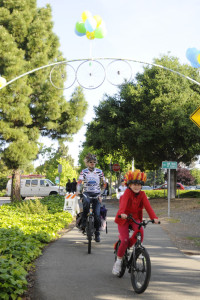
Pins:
x: 132, y: 203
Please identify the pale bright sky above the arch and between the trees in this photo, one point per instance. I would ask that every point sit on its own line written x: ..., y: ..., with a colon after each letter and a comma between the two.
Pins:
x: 136, y: 29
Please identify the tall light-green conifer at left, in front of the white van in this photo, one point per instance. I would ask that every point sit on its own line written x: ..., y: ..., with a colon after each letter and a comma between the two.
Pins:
x: 31, y: 106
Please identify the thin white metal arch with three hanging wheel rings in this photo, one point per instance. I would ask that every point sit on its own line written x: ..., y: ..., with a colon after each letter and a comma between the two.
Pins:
x: 91, y: 73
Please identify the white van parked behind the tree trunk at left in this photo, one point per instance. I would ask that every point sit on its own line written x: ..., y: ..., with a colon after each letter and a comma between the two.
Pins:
x: 36, y: 187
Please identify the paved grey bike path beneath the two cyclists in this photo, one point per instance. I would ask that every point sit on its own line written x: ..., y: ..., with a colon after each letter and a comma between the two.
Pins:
x: 65, y: 270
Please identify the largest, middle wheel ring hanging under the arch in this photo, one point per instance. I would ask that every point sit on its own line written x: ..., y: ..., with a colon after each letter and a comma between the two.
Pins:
x: 90, y: 74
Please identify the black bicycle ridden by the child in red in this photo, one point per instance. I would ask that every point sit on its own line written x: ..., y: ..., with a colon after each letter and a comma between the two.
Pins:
x: 138, y: 261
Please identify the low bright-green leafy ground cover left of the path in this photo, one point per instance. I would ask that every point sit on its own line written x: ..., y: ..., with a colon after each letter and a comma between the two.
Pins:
x: 25, y: 228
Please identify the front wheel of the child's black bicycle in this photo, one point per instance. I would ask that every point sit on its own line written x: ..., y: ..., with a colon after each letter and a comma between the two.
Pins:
x: 140, y: 270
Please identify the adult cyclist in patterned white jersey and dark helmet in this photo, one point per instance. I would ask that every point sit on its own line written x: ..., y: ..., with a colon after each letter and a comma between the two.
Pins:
x: 91, y: 178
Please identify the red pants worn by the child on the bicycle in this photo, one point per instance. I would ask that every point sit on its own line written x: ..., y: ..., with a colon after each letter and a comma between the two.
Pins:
x: 124, y: 237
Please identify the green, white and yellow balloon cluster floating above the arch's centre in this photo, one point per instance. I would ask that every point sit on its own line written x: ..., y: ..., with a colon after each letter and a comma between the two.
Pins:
x: 91, y: 26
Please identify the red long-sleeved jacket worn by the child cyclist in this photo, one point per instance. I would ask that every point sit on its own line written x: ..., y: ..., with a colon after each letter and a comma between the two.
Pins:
x: 132, y: 203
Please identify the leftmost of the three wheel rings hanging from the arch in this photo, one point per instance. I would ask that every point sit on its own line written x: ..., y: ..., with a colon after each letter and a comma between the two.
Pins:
x: 62, y: 76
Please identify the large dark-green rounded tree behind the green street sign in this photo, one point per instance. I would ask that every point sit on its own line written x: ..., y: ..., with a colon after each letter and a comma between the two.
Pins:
x: 149, y: 118
